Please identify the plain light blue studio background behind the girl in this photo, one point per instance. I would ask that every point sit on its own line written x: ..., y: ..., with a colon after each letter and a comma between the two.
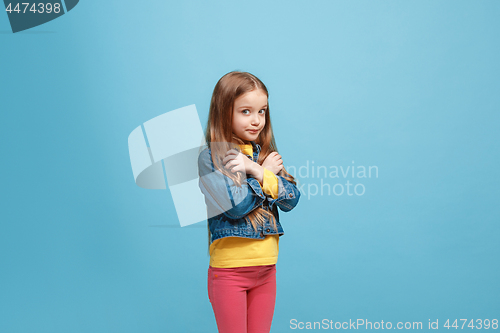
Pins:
x: 408, y: 86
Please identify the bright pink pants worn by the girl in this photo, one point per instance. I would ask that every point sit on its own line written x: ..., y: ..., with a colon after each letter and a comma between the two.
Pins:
x: 243, y: 298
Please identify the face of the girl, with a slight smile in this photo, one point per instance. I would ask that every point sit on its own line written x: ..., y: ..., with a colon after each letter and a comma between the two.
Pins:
x: 249, y: 114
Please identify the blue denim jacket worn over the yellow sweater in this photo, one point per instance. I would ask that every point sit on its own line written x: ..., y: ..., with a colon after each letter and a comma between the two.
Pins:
x: 228, y: 204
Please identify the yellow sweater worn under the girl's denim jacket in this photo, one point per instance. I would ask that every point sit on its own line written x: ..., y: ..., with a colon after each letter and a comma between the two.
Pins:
x: 238, y: 251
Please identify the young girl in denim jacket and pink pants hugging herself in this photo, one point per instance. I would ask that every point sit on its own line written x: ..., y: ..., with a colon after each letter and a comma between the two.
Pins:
x: 244, y: 181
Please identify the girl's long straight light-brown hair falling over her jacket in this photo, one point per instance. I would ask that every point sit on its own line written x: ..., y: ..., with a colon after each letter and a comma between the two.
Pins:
x: 219, y: 131
